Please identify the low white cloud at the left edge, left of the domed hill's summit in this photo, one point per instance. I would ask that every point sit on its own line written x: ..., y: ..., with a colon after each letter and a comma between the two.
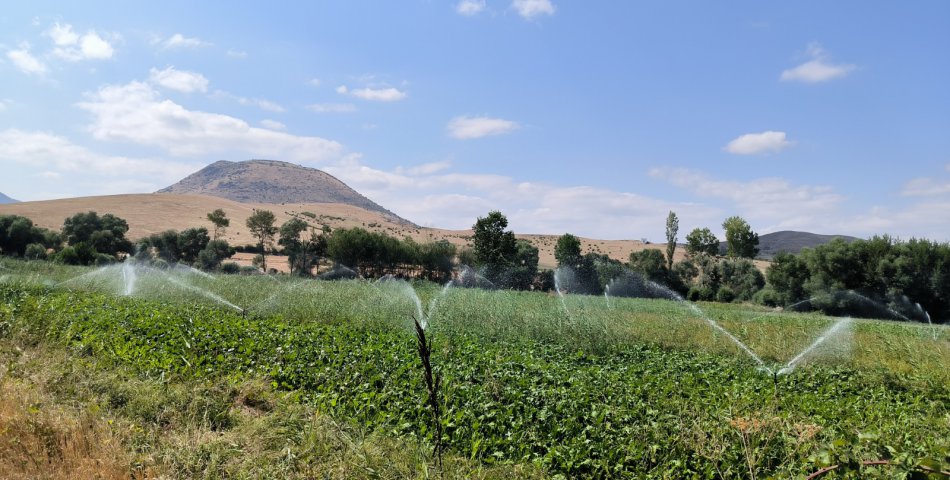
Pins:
x: 57, y: 155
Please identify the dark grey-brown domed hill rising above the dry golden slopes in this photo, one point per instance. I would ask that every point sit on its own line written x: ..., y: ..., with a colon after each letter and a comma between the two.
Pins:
x: 269, y: 181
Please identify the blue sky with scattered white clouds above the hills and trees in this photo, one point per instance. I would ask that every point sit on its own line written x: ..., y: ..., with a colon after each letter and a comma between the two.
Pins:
x: 595, y: 118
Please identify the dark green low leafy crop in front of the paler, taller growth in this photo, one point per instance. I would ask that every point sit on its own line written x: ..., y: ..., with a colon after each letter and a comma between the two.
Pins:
x: 635, y: 411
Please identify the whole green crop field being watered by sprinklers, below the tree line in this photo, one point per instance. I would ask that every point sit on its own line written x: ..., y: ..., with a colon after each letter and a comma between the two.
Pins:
x: 571, y: 386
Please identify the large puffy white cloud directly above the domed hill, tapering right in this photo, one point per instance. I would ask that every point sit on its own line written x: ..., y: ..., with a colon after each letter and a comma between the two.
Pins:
x: 135, y: 112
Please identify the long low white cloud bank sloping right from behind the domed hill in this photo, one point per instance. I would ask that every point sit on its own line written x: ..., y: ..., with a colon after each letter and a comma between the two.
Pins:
x: 429, y: 194
